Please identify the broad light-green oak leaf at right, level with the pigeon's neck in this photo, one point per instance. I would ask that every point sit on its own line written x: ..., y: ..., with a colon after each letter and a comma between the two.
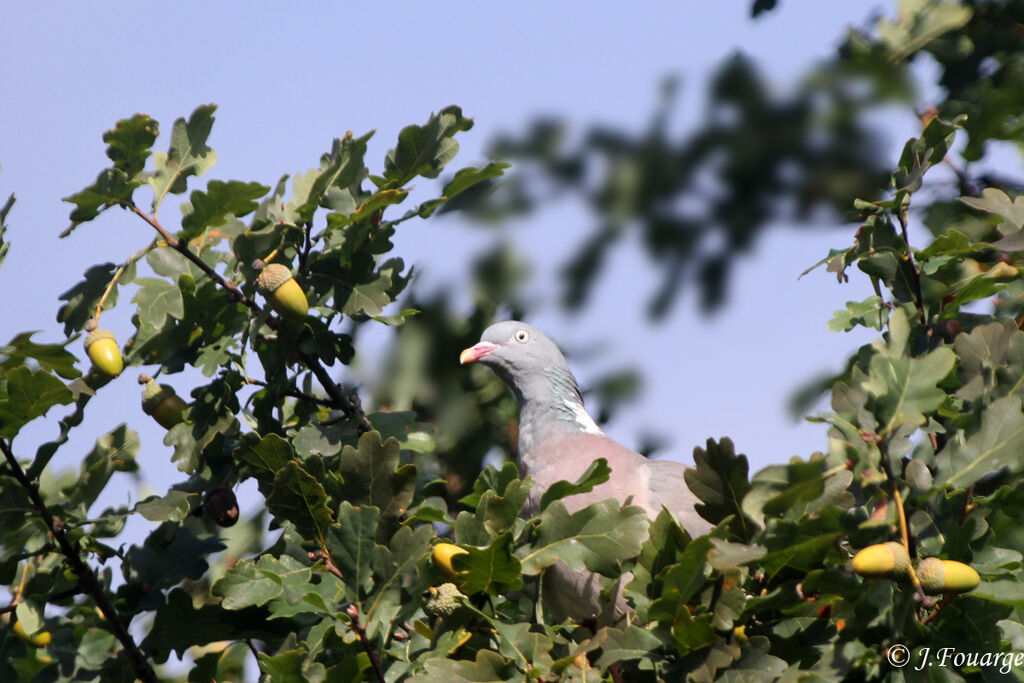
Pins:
x: 905, y: 390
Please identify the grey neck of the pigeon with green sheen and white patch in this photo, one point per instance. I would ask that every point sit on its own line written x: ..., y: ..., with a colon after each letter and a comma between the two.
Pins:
x: 550, y: 405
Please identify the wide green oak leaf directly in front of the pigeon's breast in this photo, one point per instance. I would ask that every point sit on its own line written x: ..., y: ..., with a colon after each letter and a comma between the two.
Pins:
x: 598, y: 538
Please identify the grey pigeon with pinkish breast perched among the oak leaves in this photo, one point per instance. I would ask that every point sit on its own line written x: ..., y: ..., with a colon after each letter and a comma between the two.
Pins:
x: 559, y: 441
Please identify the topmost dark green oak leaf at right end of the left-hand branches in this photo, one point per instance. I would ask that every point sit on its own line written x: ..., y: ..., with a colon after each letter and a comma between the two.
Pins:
x: 425, y: 150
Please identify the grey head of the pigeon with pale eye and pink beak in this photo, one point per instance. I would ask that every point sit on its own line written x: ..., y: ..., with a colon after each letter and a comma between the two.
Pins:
x: 517, y: 352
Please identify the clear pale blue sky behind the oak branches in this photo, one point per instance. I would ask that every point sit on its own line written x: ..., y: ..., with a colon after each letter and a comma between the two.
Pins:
x: 290, y: 77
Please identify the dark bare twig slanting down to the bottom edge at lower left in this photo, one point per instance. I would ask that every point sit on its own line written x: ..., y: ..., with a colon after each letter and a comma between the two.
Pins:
x: 87, y: 577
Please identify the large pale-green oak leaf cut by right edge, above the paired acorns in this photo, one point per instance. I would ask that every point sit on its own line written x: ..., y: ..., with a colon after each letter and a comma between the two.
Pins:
x: 999, y: 444
